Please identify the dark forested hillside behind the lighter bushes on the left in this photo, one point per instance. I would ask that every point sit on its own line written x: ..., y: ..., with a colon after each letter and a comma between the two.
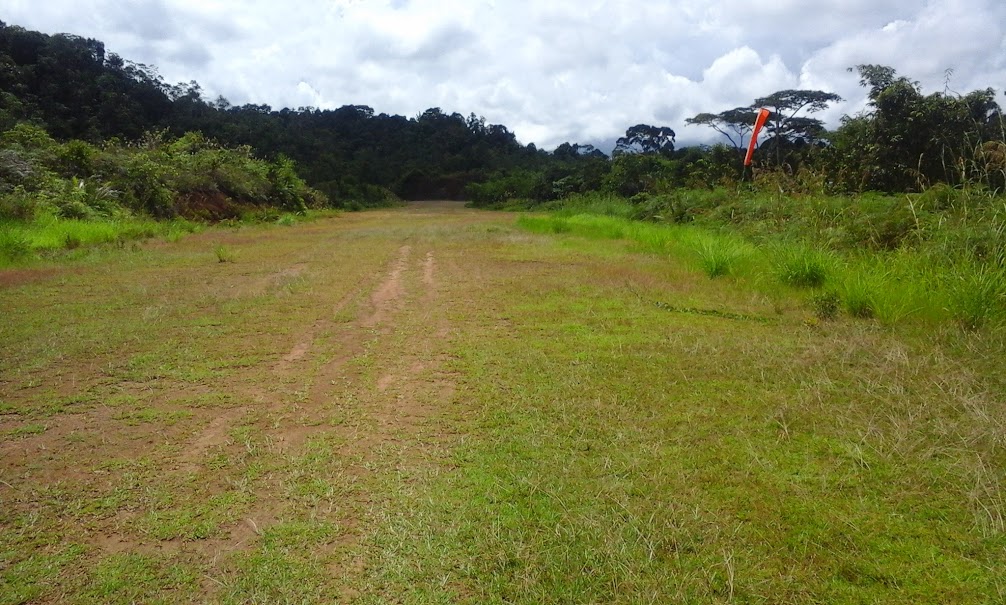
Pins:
x: 75, y: 90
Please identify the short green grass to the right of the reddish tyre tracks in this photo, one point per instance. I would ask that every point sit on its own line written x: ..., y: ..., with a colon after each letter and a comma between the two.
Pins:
x: 623, y: 455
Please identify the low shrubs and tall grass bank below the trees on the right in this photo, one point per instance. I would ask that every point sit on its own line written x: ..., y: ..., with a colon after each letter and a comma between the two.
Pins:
x: 941, y: 265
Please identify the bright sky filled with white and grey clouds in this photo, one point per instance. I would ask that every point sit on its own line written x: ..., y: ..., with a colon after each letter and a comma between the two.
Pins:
x: 580, y: 71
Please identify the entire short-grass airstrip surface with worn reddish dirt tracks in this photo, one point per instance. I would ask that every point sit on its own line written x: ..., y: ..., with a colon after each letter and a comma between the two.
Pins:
x: 575, y: 417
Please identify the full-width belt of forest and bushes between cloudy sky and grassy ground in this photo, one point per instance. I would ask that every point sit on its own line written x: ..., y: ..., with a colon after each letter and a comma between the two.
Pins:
x: 92, y: 120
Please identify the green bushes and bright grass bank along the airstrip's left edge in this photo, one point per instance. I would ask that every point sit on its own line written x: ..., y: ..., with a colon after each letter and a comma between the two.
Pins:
x: 67, y: 196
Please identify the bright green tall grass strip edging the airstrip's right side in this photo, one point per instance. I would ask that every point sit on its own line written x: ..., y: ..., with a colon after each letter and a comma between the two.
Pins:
x: 951, y: 278
